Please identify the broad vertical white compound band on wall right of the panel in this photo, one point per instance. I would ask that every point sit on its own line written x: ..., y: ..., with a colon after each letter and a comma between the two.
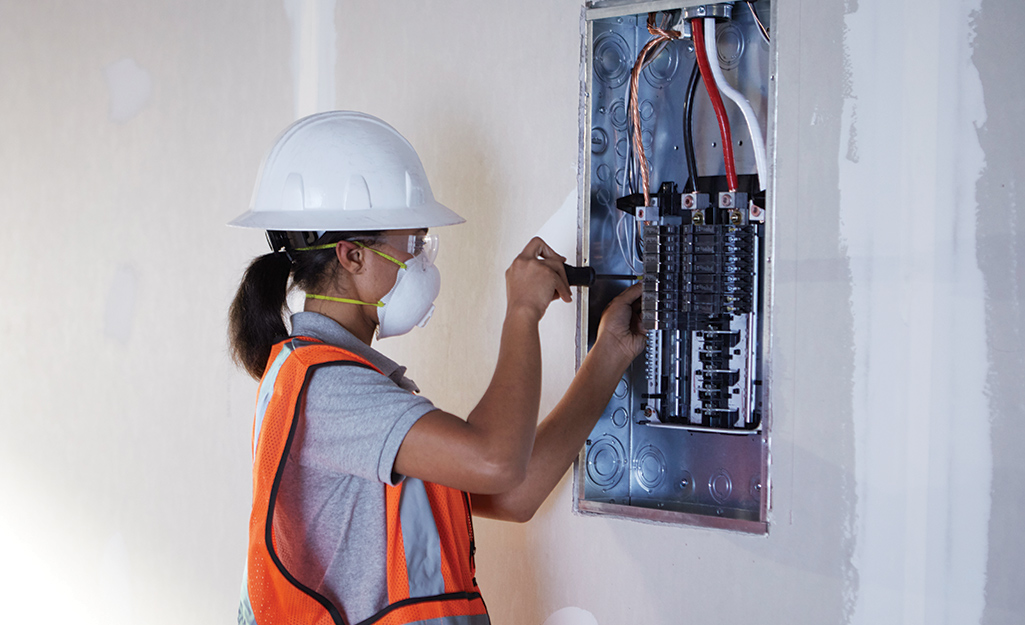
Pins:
x: 910, y: 160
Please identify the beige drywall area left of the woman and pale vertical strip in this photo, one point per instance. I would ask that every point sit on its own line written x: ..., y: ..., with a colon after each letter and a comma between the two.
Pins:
x: 130, y: 135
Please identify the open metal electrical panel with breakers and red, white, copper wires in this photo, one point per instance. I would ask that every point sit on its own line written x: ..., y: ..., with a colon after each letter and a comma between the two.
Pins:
x: 676, y: 177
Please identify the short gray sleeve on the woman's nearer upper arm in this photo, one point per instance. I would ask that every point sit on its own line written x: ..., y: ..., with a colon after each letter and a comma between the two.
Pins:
x: 355, y: 421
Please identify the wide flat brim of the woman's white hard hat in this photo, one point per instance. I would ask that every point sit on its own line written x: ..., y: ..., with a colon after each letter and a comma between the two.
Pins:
x: 427, y: 216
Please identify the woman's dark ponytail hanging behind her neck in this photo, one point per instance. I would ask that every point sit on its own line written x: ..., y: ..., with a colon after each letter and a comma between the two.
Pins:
x: 257, y: 317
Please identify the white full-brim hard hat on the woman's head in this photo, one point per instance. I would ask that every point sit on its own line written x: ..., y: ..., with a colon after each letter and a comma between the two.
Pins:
x: 343, y: 171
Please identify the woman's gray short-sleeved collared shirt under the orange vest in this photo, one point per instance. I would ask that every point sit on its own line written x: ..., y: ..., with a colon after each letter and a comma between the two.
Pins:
x: 331, y: 518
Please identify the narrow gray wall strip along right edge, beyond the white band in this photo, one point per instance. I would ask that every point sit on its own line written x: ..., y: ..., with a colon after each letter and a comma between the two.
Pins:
x: 1000, y: 248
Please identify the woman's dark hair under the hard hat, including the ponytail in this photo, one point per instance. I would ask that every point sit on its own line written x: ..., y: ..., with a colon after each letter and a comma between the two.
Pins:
x: 257, y: 318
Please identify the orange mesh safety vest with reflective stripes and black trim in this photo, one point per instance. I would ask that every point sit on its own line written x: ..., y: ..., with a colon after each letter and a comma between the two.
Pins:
x: 430, y: 532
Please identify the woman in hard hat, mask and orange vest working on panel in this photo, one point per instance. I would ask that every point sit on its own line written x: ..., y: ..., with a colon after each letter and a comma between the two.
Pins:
x: 361, y: 513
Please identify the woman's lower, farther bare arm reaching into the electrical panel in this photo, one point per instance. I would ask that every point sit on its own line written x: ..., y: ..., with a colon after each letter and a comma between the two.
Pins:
x: 562, y: 435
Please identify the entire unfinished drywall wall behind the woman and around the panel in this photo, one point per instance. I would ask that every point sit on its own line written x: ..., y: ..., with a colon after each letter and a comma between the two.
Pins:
x: 133, y: 133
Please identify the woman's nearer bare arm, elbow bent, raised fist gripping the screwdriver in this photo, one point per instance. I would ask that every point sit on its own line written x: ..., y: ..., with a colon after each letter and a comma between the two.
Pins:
x: 489, y: 452
